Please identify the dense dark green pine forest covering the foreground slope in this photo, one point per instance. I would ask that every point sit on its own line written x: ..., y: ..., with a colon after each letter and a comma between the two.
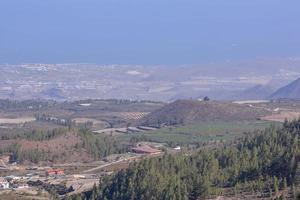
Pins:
x: 261, y: 164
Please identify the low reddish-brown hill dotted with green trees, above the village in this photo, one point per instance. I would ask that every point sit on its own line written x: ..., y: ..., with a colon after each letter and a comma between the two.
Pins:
x: 58, y: 146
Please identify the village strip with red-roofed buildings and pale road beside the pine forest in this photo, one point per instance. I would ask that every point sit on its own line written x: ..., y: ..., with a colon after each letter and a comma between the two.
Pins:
x: 65, y: 182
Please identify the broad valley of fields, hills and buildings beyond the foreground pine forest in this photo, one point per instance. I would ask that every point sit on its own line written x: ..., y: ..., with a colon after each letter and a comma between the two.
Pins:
x: 89, y: 140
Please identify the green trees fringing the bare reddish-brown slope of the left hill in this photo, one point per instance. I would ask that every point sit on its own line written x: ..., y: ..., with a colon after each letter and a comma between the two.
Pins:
x: 98, y: 146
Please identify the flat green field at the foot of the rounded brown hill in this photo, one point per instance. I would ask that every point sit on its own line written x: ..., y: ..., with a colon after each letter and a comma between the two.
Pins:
x: 202, y: 132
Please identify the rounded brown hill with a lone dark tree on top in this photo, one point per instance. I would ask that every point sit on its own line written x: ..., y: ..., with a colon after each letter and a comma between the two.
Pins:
x: 190, y: 111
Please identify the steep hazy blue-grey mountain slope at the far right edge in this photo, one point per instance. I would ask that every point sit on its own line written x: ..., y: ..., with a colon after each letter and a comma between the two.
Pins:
x: 290, y: 91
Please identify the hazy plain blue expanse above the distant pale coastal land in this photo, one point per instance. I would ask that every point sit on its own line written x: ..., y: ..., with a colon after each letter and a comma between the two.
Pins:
x: 147, y: 31
